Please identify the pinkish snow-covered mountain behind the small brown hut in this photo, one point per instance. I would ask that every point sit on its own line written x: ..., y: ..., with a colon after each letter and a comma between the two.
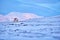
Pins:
x: 20, y: 16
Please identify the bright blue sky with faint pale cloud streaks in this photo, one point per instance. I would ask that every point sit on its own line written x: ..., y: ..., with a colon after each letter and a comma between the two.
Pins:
x: 39, y: 7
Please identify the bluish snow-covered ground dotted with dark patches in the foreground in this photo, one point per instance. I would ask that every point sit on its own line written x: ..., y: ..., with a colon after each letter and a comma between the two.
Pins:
x: 47, y: 28
